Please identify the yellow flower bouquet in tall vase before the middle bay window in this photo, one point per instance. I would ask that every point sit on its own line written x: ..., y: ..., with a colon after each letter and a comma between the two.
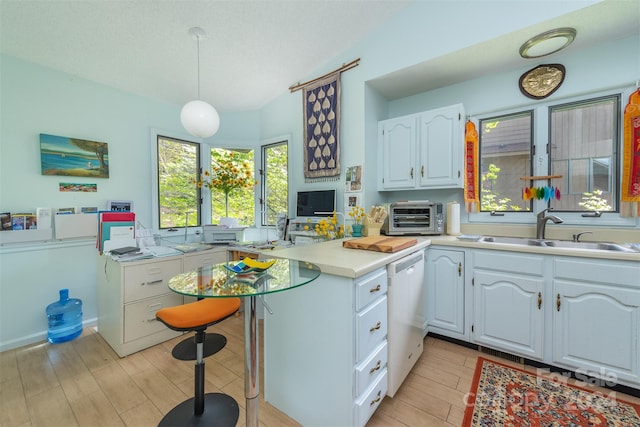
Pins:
x: 229, y: 172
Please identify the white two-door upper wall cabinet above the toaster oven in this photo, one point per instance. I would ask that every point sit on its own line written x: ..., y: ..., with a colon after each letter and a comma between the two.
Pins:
x: 422, y: 151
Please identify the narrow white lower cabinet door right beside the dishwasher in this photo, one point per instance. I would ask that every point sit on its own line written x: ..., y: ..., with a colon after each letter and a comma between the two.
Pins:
x: 445, y: 291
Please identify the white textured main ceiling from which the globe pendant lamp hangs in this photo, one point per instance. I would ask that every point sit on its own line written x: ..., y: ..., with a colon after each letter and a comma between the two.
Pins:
x: 252, y: 53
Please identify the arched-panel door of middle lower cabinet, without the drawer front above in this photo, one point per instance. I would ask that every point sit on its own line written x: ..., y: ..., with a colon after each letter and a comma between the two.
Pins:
x: 508, y: 312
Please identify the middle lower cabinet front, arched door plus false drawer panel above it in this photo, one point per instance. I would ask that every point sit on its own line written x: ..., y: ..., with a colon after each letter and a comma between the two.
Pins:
x: 508, y: 302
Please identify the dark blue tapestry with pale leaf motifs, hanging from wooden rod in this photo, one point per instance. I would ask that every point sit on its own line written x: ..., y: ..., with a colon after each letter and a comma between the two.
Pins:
x: 321, y: 110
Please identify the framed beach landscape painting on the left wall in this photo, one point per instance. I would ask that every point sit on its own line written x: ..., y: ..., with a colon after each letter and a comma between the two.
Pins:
x: 60, y: 155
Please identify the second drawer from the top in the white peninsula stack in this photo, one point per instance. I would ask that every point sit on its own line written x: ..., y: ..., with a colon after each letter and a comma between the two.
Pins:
x: 371, y: 328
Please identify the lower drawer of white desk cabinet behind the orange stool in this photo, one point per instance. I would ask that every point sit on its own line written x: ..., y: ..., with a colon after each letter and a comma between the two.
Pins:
x: 140, y: 317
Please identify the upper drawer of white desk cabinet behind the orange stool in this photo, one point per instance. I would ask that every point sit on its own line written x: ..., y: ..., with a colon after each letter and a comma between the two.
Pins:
x: 149, y: 279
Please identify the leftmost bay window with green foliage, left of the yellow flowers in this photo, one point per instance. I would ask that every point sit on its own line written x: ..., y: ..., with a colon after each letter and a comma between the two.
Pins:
x: 178, y: 167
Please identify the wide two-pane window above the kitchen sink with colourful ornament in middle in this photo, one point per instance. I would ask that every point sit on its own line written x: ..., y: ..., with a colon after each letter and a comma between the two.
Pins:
x: 580, y: 145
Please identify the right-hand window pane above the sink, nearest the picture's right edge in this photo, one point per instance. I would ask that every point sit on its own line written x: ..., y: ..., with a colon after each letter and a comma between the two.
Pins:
x: 584, y: 146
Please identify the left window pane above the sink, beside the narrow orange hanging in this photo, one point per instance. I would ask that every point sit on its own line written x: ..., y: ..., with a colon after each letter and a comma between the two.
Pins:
x: 505, y: 156
